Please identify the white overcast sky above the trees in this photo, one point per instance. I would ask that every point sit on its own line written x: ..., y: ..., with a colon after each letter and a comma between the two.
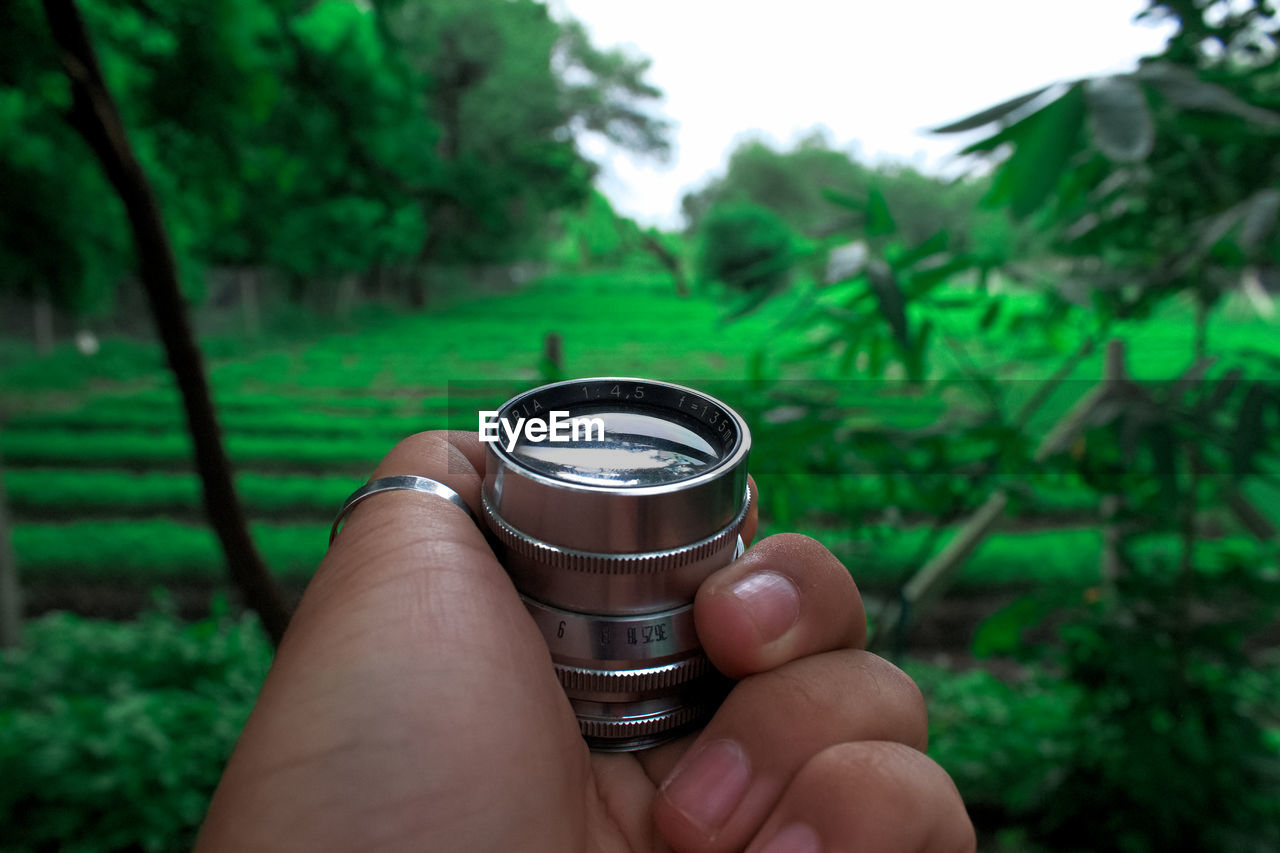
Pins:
x: 874, y: 74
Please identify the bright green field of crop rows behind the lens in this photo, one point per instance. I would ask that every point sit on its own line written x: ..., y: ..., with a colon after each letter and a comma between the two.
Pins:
x: 99, y: 478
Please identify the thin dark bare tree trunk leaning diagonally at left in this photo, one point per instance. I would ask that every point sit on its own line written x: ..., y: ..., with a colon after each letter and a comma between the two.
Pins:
x: 95, y: 117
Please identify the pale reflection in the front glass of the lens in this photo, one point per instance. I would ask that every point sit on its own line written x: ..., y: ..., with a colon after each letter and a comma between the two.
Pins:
x: 637, y: 450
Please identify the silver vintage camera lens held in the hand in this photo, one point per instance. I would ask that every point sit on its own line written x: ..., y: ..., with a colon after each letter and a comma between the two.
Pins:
x: 609, y: 536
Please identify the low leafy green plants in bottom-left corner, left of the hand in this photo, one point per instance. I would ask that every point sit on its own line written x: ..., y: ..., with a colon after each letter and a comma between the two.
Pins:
x: 113, y: 736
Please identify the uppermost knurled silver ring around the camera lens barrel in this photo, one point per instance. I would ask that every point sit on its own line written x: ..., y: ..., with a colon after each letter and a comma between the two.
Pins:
x: 614, y: 564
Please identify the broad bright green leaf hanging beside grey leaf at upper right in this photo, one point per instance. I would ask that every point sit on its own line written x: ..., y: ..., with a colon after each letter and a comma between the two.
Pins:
x: 1044, y: 145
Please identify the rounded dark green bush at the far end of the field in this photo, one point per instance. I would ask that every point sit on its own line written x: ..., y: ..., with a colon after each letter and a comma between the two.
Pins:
x: 746, y: 247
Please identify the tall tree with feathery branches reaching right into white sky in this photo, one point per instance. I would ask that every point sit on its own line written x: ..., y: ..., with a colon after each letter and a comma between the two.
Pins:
x: 509, y: 89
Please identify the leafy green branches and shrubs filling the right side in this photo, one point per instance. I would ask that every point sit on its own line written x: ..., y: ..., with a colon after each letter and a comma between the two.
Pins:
x: 1146, y: 188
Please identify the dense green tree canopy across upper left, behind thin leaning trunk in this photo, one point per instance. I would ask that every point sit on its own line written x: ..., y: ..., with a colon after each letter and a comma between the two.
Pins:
x: 309, y: 143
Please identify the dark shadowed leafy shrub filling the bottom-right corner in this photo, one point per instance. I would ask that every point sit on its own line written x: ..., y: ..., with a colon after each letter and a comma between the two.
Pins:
x: 1171, y: 724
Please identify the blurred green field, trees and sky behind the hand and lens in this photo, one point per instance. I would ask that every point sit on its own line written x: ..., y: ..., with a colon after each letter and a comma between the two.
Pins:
x: 994, y: 284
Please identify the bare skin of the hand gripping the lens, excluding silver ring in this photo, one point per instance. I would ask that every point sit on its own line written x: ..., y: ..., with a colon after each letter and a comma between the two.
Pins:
x: 413, y: 706
